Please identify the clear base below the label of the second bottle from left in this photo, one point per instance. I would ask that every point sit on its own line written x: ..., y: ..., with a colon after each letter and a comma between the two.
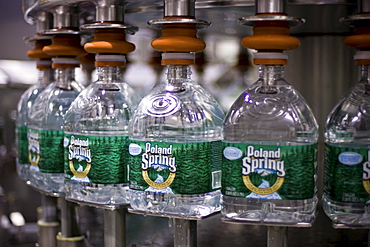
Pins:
x: 47, y: 183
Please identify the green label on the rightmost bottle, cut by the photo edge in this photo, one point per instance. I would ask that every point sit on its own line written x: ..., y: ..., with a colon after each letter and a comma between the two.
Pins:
x: 347, y: 174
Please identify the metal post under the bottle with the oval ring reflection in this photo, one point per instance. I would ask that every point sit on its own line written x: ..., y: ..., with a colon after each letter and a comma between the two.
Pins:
x: 185, y: 233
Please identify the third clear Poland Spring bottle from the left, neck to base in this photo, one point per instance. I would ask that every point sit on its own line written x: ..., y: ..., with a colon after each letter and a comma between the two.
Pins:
x: 96, y: 136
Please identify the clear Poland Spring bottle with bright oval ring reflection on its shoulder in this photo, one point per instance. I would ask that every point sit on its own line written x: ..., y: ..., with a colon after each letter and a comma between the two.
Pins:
x: 175, y: 149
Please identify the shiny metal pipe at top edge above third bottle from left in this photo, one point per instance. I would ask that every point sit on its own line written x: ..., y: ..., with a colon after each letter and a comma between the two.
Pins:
x: 110, y: 10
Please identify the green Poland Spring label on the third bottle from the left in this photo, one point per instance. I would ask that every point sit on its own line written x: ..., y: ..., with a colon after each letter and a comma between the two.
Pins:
x: 96, y: 159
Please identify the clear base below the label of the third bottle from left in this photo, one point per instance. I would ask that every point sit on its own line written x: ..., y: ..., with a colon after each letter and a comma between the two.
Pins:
x: 98, y: 195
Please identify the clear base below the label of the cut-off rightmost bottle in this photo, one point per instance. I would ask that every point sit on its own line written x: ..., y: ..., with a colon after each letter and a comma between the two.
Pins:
x: 349, y: 215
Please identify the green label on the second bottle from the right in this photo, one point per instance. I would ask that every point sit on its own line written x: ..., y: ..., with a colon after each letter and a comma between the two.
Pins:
x: 269, y: 172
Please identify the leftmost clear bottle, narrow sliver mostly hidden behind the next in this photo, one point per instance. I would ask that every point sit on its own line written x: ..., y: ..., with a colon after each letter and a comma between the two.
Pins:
x: 24, y: 105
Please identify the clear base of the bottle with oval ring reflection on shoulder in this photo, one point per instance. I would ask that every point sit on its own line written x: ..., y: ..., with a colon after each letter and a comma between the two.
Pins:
x: 172, y: 205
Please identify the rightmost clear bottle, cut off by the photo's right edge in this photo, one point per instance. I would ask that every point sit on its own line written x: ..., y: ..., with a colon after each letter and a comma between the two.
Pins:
x: 347, y: 136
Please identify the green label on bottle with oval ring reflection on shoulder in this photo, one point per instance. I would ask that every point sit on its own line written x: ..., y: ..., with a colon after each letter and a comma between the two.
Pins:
x: 175, y: 168
